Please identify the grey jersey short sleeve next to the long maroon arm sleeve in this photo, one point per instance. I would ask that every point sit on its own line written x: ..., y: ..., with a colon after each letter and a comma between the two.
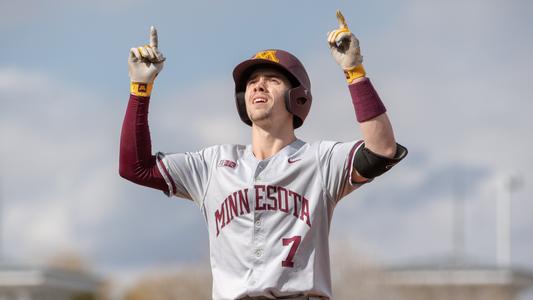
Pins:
x: 187, y: 174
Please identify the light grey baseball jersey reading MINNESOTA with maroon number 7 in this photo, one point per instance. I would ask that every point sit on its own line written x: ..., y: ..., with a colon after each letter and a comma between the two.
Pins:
x: 268, y: 220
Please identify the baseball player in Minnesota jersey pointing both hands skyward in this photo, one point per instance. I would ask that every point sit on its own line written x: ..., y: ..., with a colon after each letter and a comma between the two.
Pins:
x: 268, y: 205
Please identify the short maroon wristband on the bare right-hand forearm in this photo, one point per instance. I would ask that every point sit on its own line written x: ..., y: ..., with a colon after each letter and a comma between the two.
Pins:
x: 366, y: 101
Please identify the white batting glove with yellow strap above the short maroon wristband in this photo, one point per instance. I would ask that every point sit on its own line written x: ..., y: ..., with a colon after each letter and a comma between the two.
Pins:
x: 345, y: 50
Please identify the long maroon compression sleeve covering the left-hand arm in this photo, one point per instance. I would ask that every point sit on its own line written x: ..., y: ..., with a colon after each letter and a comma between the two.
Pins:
x: 137, y: 164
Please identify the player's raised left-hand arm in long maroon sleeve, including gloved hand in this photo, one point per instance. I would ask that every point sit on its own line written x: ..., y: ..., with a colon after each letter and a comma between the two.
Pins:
x: 136, y: 162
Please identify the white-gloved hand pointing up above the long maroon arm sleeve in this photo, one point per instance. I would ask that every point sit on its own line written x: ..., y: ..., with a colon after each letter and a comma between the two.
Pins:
x: 144, y: 63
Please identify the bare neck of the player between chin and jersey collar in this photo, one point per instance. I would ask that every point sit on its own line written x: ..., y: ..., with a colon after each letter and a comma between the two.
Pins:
x: 266, y: 143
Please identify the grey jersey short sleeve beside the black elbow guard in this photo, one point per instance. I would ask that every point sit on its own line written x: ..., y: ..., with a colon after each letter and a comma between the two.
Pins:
x: 336, y: 163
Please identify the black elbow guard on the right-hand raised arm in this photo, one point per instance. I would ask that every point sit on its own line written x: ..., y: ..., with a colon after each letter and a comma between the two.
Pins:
x: 369, y: 164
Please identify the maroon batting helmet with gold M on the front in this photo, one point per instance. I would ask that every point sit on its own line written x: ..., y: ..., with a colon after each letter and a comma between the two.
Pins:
x: 298, y: 98
